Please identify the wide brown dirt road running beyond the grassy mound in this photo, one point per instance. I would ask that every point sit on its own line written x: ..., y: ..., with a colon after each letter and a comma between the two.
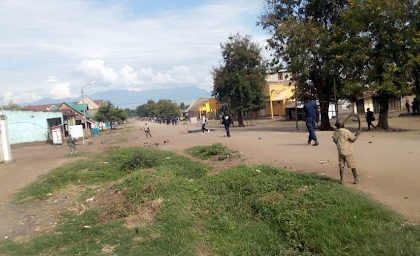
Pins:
x: 387, y: 162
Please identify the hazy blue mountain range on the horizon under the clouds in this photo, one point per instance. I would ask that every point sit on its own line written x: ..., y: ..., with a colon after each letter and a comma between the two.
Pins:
x: 131, y: 99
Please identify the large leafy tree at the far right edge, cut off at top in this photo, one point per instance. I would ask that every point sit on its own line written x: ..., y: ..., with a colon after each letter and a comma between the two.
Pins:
x: 383, y: 36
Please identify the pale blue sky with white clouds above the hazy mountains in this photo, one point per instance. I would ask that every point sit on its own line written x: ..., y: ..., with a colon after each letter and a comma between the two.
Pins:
x: 54, y: 48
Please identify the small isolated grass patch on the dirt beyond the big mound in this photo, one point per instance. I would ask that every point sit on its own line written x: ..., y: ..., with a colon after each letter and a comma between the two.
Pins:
x: 214, y: 151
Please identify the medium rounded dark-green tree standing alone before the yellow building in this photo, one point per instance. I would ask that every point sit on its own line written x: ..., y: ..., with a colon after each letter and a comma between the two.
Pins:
x: 240, y: 80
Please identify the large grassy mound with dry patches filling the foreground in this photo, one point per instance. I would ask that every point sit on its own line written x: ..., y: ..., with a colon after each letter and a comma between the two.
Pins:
x: 151, y: 202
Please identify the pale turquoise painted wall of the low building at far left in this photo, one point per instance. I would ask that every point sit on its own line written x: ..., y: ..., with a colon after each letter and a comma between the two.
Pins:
x: 29, y: 126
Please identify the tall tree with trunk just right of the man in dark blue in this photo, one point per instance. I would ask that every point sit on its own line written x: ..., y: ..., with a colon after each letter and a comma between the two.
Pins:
x: 304, y: 34
